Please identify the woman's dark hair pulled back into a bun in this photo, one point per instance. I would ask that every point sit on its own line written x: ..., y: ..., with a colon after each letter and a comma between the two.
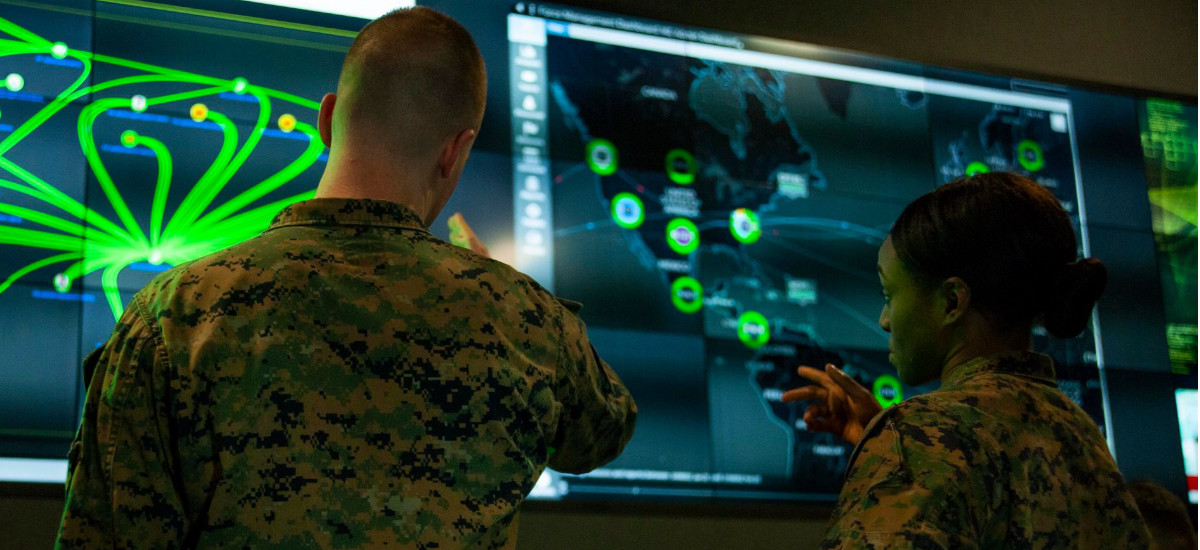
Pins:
x: 1013, y: 244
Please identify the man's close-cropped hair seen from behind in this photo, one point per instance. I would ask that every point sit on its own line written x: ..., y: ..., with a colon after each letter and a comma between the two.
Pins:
x: 413, y: 76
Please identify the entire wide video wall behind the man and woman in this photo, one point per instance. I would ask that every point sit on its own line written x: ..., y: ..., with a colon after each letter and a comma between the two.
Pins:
x: 716, y: 201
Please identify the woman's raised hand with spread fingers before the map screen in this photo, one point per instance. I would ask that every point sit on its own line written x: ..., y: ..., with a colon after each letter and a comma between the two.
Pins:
x: 838, y: 404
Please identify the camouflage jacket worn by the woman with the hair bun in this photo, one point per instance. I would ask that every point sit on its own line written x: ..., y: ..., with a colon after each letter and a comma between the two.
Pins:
x: 998, y: 458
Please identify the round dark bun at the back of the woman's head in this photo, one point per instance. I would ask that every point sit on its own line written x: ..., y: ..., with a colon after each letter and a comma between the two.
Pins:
x: 1073, y: 297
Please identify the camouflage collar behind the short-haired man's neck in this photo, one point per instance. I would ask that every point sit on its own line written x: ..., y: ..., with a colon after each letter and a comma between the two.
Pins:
x: 349, y: 212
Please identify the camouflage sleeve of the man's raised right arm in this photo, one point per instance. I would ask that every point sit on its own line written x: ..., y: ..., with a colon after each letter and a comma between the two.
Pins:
x: 598, y: 414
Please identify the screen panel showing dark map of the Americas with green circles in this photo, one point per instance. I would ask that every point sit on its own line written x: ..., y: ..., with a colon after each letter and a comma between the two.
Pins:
x: 719, y: 211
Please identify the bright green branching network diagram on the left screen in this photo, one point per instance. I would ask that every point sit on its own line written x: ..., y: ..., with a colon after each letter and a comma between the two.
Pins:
x: 81, y: 241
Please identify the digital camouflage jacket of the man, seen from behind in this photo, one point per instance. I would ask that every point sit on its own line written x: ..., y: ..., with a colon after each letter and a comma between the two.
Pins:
x: 345, y: 380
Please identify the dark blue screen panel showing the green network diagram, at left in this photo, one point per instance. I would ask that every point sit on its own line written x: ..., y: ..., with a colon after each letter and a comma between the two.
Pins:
x: 121, y: 160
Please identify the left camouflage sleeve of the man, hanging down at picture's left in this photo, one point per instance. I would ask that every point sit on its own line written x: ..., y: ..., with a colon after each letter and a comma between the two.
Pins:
x: 122, y: 485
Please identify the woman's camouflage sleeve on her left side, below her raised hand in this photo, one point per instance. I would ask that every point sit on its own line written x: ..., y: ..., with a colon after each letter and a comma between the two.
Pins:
x: 909, y: 486
